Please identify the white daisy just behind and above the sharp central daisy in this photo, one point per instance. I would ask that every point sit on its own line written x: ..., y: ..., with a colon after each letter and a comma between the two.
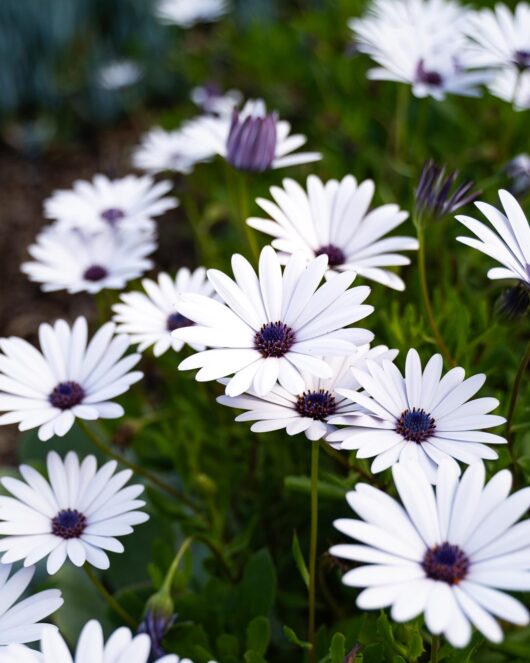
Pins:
x: 334, y: 218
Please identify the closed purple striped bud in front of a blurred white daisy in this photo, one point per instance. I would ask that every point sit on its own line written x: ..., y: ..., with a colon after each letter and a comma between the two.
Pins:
x: 251, y: 142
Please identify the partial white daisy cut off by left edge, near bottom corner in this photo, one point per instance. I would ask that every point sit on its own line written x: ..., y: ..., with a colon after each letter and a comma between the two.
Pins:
x: 20, y: 622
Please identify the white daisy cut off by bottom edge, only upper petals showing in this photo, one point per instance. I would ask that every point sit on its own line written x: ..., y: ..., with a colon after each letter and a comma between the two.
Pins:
x: 91, y: 647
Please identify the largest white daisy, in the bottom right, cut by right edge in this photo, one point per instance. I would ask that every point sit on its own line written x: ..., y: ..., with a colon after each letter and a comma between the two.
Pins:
x: 444, y: 553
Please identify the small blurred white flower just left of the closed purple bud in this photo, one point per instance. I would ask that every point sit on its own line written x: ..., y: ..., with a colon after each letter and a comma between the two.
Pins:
x: 179, y: 150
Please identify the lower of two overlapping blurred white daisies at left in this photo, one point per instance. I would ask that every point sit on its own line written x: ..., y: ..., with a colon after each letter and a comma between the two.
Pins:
x: 76, y: 261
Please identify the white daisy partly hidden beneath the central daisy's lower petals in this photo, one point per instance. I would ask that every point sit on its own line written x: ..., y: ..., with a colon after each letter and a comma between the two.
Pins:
x: 309, y: 411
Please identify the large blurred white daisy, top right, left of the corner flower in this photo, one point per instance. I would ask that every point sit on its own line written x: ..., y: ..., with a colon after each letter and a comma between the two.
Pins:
x: 421, y: 43
